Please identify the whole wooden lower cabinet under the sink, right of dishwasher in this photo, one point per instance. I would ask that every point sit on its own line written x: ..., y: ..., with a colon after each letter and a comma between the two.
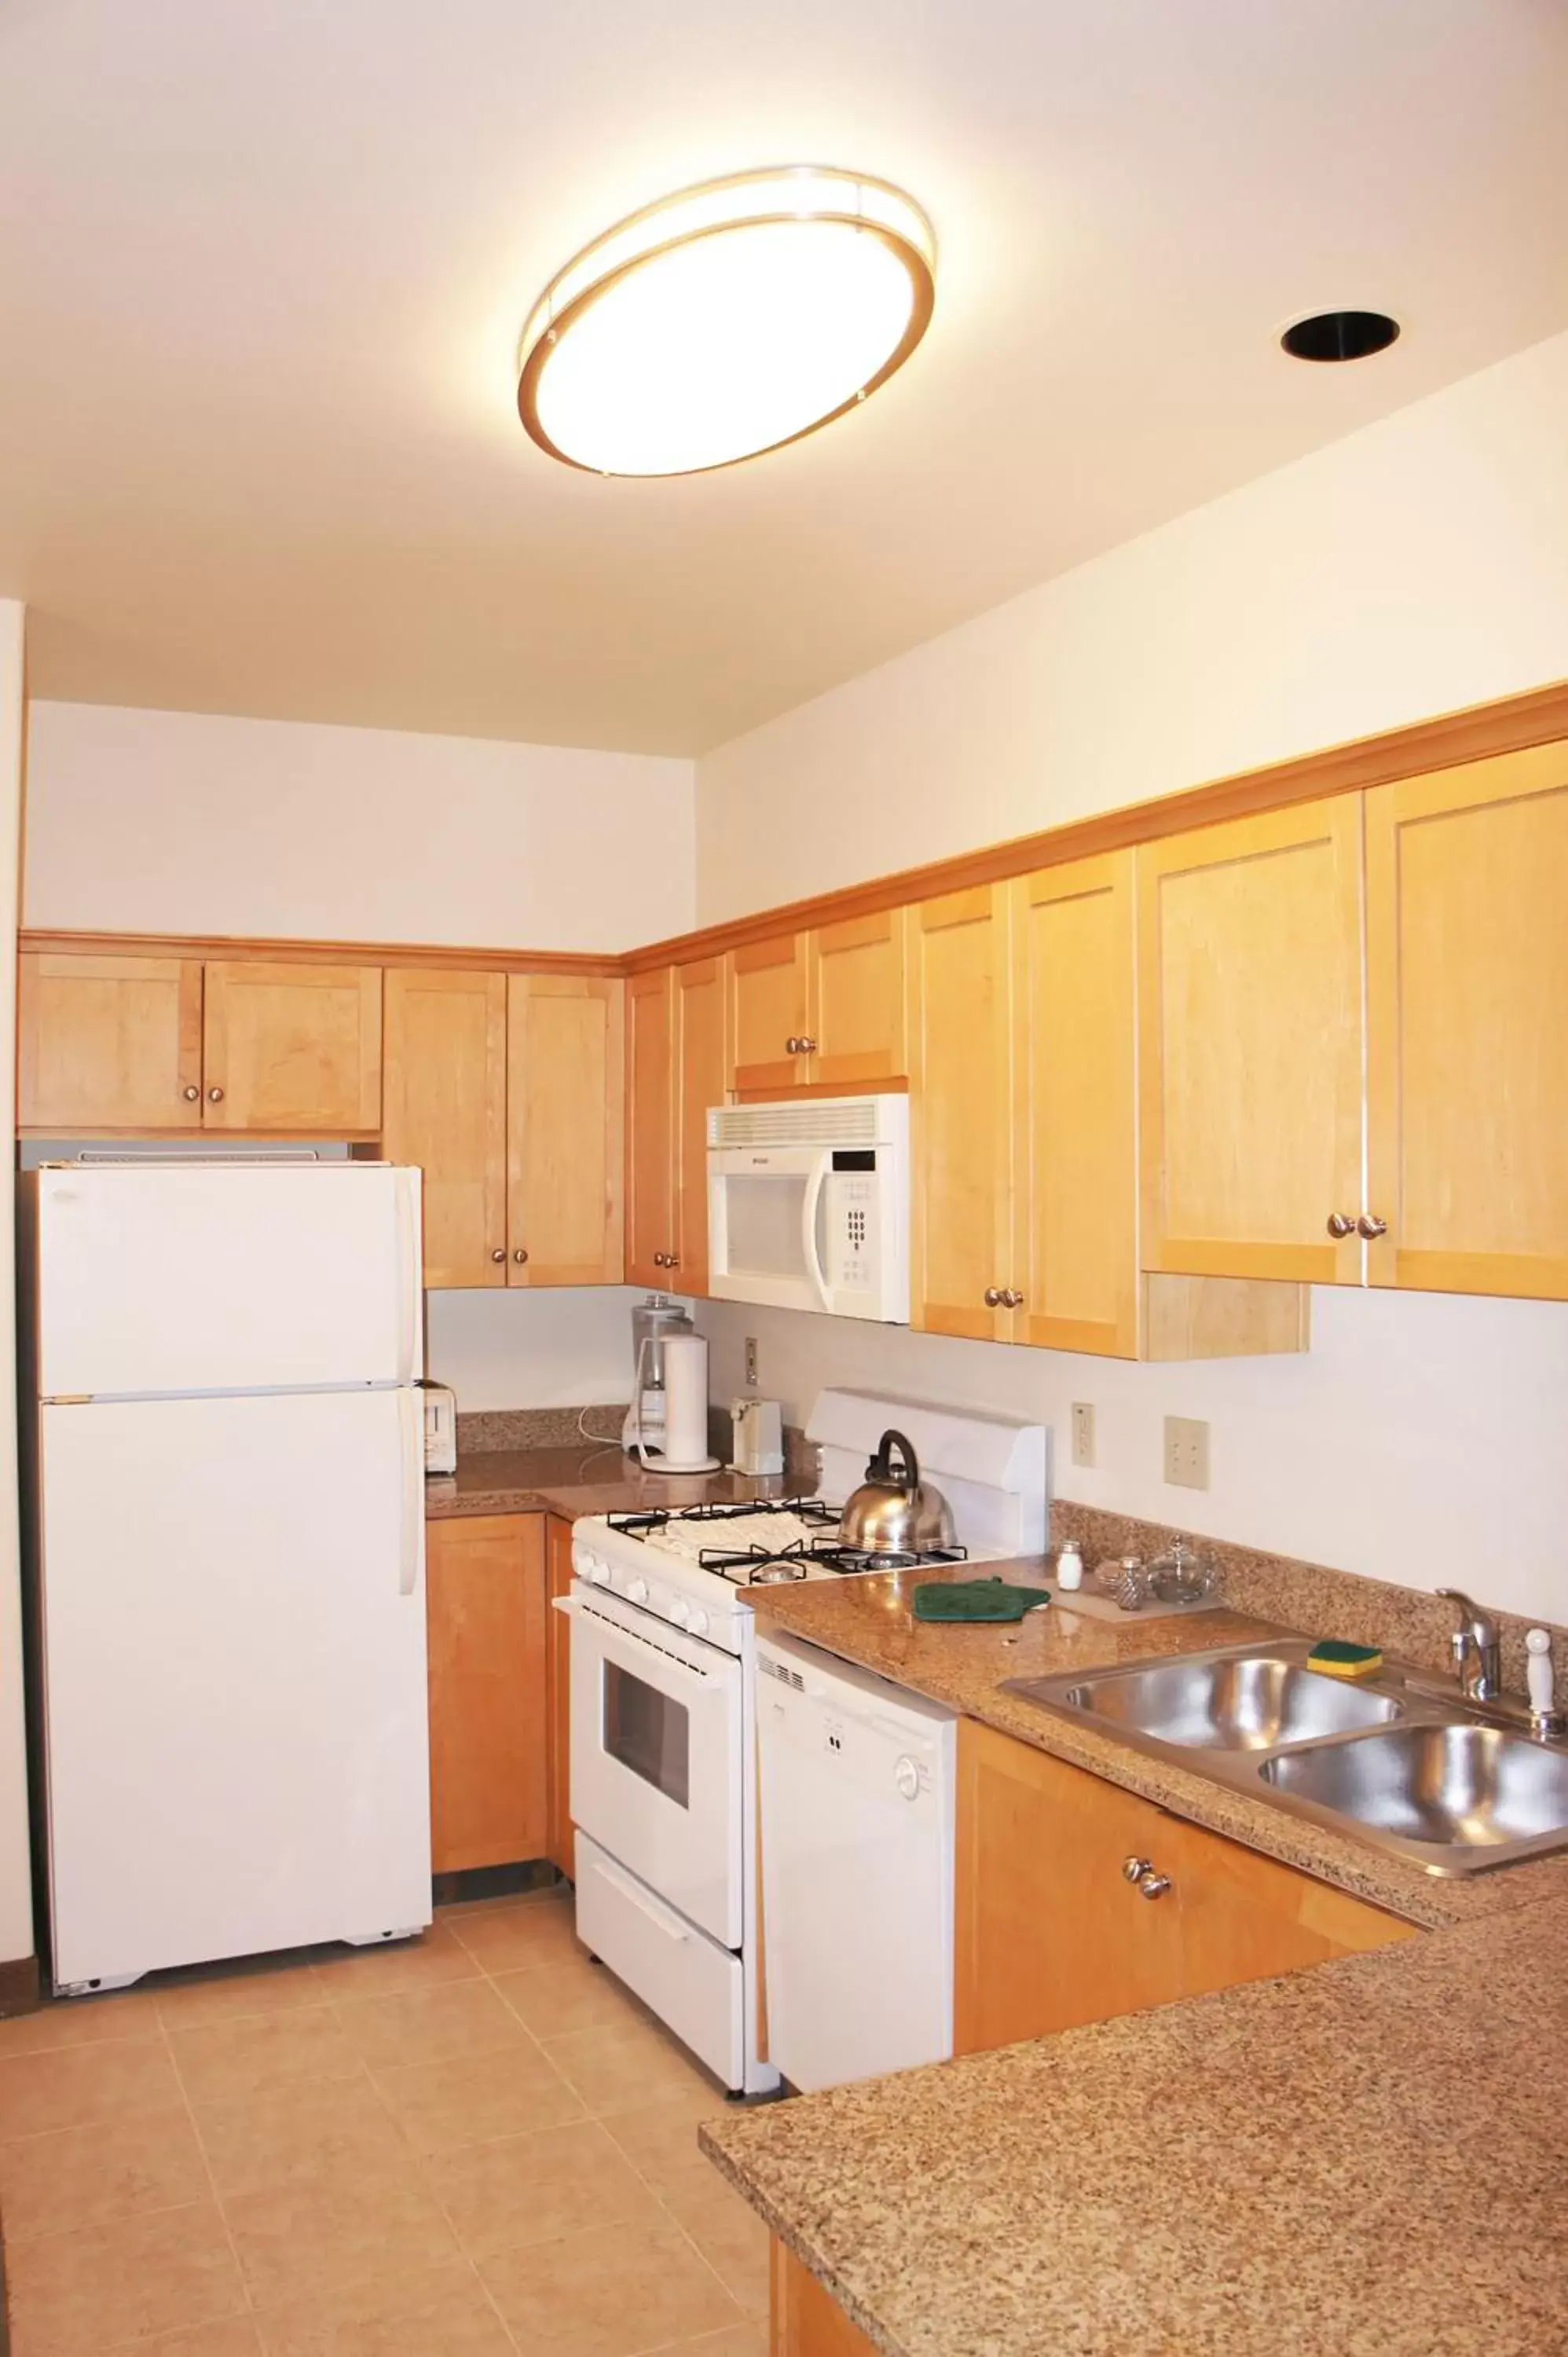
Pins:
x: 1050, y: 1934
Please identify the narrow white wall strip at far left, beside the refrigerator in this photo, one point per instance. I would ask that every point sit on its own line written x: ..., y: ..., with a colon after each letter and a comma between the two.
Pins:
x: 15, y: 1856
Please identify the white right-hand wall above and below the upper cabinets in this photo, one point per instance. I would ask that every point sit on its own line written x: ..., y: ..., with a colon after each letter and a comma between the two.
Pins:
x: 1411, y: 569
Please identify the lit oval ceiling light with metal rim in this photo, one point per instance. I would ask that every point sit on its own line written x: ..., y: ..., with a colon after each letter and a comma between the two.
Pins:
x: 725, y: 322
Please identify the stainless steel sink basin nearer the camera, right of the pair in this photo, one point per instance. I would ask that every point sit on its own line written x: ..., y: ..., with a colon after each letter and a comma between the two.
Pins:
x: 1447, y: 1785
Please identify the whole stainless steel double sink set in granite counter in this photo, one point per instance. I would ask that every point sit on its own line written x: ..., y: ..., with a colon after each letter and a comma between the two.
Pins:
x: 1395, y: 1760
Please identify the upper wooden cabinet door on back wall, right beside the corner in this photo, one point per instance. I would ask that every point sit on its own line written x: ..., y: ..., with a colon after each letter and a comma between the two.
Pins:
x: 565, y: 1130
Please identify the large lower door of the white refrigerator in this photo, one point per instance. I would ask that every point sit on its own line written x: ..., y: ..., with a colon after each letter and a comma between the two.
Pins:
x: 235, y: 1677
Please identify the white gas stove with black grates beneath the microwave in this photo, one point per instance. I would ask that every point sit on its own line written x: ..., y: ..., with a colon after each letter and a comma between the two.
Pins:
x: 664, y: 1701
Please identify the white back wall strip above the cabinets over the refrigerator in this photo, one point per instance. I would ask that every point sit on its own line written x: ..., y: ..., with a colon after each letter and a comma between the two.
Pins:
x: 197, y: 824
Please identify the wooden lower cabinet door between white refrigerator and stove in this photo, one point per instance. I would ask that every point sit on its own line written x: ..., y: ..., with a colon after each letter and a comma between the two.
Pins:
x: 489, y: 1755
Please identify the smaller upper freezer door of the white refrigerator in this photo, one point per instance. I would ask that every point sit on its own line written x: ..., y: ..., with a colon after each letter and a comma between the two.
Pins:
x: 171, y: 1279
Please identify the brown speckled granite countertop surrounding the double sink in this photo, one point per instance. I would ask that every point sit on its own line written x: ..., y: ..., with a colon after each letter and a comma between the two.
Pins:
x: 871, y: 1623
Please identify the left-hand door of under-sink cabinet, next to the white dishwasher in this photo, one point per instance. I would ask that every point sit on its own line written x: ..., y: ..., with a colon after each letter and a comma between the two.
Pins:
x: 1048, y: 1932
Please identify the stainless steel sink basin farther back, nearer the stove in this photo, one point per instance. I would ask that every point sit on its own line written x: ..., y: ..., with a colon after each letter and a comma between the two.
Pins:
x: 1239, y: 1703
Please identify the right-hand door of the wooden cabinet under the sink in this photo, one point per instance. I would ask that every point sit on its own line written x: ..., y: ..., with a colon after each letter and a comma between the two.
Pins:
x: 1249, y: 1917
